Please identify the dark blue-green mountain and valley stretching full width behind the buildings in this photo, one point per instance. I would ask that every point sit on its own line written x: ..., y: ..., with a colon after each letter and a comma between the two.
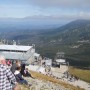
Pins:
x: 72, y: 38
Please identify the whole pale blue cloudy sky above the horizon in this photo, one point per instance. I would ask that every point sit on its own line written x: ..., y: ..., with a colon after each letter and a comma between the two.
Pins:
x: 64, y: 10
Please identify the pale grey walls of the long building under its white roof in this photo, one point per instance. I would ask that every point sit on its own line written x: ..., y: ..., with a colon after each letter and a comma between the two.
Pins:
x: 26, y: 56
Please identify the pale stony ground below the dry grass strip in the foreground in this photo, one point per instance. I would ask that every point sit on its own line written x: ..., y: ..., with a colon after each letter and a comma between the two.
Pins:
x: 43, y: 85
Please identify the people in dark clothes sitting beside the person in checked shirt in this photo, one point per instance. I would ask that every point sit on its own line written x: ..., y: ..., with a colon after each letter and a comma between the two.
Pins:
x: 19, y: 70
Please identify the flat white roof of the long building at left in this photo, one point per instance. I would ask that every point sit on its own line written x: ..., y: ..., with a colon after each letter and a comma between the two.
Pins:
x: 15, y: 47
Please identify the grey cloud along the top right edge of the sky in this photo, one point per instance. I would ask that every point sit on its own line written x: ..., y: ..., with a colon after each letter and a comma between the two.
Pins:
x: 80, y: 4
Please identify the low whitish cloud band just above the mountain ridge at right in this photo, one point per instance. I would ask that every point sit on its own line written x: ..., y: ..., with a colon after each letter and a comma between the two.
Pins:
x: 69, y: 17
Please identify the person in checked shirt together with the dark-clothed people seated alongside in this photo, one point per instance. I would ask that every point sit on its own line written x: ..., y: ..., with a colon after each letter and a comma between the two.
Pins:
x: 11, y: 76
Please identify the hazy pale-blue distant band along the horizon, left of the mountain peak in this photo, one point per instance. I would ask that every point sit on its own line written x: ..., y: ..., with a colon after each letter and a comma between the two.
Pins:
x: 26, y: 23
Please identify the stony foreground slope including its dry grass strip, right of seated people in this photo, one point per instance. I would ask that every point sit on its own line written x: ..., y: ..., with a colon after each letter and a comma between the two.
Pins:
x: 43, y: 82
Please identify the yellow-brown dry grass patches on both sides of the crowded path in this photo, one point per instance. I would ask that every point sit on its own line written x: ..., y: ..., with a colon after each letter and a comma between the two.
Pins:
x: 82, y: 74
